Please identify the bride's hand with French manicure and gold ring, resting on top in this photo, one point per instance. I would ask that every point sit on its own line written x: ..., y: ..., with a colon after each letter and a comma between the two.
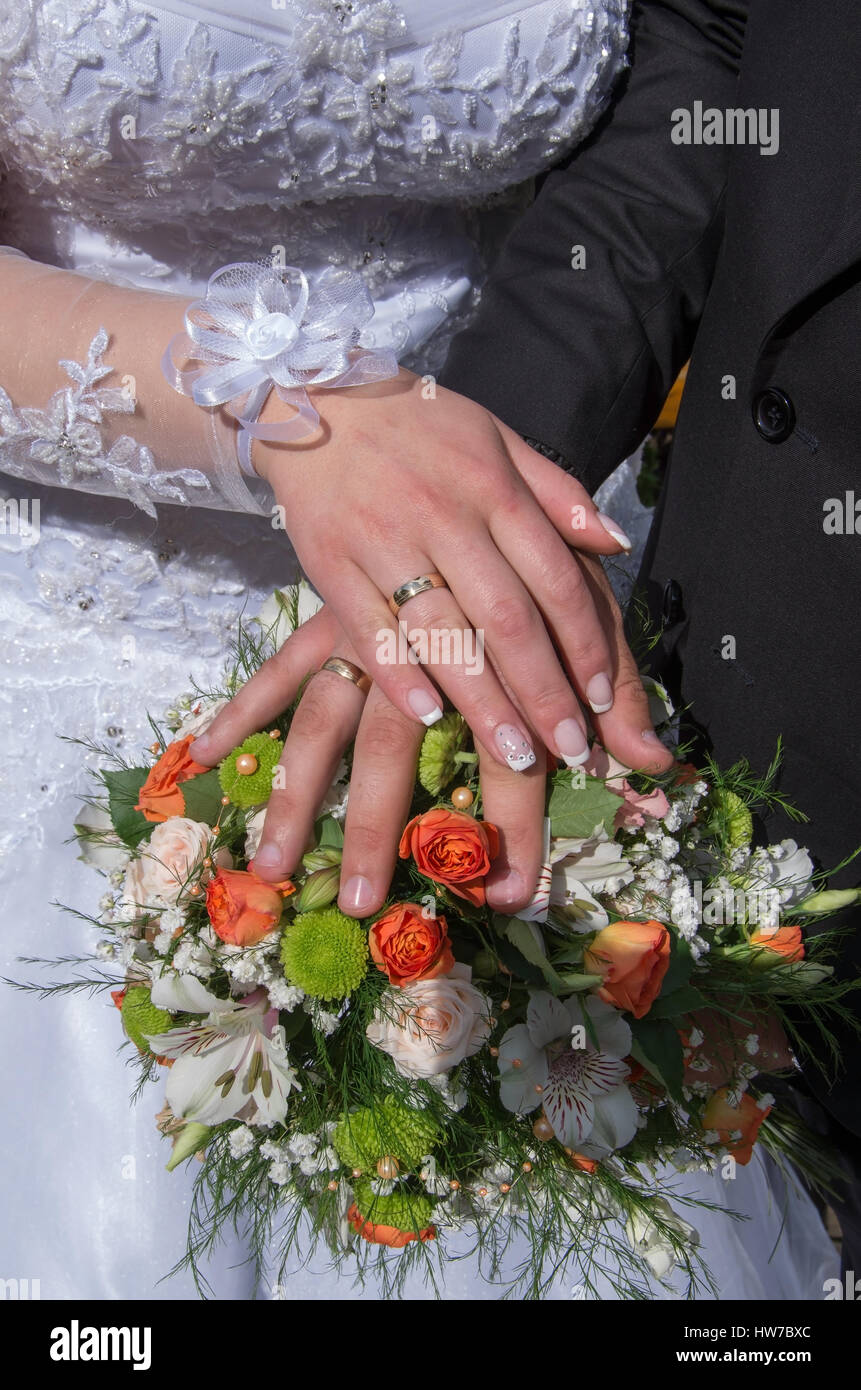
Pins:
x: 396, y: 487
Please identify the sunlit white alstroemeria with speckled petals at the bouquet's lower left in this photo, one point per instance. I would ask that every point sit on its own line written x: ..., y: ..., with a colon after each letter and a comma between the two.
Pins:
x: 230, y: 1065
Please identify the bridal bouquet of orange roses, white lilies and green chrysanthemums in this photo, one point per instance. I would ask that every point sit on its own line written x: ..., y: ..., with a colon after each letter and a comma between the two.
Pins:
x: 442, y: 1074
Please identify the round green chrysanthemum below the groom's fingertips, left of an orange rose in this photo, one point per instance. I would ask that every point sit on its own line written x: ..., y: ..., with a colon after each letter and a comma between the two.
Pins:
x: 325, y: 954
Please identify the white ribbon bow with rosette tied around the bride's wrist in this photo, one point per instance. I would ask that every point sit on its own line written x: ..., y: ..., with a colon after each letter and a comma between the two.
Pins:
x: 264, y: 329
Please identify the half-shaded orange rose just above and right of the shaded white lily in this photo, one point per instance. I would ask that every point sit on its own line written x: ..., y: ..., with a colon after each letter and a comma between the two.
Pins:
x: 634, y: 958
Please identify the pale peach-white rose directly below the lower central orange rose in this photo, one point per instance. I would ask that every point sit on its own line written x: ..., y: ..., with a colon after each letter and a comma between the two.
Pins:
x: 432, y: 1025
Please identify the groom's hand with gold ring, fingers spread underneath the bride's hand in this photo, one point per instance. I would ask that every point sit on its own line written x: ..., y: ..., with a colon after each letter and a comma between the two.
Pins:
x: 333, y: 712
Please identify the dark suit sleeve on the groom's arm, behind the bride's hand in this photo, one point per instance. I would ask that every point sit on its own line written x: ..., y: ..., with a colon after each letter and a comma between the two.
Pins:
x: 579, y: 361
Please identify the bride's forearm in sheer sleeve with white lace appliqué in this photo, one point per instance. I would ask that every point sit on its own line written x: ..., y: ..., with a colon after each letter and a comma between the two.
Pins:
x: 84, y: 402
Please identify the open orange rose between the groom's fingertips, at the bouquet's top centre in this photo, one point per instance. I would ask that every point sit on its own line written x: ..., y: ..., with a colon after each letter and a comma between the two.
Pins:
x: 454, y: 850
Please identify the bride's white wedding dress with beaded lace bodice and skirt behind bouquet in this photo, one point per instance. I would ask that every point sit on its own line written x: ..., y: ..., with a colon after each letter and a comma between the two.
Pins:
x: 150, y: 145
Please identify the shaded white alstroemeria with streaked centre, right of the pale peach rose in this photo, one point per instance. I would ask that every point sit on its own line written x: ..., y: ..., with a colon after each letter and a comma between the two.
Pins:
x: 582, y: 1088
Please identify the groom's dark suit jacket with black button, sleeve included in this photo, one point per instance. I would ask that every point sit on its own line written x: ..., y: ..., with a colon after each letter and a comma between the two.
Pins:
x: 752, y: 265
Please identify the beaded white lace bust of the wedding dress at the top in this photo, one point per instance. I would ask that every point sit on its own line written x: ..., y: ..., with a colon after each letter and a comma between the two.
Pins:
x: 130, y: 116
